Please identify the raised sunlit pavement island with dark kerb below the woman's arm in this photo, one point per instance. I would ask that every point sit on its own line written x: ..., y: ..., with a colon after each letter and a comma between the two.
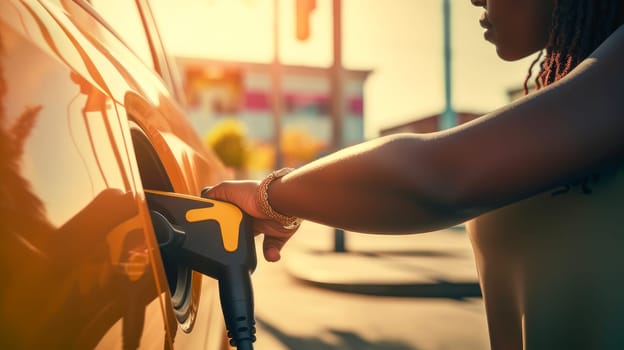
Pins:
x: 438, y: 264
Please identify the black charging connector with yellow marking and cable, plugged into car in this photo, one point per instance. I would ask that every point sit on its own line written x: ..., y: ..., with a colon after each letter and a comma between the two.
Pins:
x: 213, y: 238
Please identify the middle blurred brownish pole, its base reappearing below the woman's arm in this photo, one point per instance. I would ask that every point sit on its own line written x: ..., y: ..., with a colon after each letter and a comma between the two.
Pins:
x: 337, y: 100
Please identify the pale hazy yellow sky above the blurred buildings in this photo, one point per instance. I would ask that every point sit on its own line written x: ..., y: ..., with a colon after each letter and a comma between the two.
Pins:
x: 399, y: 40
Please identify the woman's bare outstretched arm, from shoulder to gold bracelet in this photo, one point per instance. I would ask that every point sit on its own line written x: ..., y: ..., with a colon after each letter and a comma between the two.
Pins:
x: 410, y: 183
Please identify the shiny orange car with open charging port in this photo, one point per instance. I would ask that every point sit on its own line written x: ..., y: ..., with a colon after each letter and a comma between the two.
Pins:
x: 88, y: 121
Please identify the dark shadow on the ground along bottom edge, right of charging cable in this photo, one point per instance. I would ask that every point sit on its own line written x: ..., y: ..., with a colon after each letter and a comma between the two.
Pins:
x: 344, y: 340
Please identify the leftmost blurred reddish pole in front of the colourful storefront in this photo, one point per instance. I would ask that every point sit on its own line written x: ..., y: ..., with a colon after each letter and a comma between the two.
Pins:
x: 277, y: 104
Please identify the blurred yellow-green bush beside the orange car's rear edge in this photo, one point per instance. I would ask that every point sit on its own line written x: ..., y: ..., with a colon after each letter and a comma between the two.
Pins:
x: 229, y: 141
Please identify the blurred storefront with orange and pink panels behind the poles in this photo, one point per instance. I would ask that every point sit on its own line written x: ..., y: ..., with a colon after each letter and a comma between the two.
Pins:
x: 226, y: 91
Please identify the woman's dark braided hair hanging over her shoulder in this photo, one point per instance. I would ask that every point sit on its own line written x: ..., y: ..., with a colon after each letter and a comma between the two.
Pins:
x: 578, y: 27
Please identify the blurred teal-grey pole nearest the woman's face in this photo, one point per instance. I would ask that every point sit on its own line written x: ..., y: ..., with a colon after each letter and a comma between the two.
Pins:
x: 448, y: 119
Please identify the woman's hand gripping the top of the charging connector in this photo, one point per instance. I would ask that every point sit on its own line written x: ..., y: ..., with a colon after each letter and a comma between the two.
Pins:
x: 243, y: 194
